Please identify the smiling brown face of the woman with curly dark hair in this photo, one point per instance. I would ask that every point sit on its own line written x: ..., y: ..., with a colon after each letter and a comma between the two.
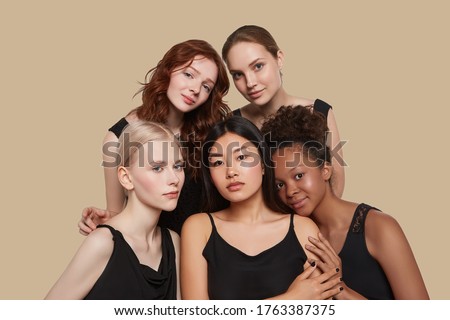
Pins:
x: 301, y: 184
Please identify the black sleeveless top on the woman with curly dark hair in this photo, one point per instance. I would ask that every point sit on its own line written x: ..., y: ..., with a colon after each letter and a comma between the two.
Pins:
x: 361, y: 271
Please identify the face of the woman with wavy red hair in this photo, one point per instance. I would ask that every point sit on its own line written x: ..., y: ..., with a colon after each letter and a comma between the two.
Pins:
x: 191, y: 85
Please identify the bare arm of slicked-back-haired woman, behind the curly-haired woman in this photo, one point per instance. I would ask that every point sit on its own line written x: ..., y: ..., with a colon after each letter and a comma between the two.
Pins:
x: 338, y: 178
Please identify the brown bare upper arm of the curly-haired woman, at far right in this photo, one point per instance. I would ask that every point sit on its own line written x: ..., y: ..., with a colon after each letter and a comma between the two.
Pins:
x: 388, y: 245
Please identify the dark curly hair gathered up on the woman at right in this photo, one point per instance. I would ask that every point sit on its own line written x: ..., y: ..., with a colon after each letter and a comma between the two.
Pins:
x: 298, y: 125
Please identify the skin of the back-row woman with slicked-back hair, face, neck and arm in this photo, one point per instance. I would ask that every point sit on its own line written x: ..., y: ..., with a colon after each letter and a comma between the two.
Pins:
x: 256, y: 75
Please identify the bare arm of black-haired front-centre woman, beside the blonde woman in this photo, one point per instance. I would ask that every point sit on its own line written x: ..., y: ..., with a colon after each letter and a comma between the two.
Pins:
x: 194, y: 269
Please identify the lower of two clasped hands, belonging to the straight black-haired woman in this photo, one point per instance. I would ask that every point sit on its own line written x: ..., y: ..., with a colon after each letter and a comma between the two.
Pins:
x: 320, y: 287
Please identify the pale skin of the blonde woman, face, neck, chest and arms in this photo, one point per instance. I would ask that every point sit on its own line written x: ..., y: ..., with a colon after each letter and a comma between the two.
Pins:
x: 137, y: 222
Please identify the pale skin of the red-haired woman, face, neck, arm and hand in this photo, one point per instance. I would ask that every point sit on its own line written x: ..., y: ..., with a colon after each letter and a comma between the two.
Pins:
x: 189, y: 87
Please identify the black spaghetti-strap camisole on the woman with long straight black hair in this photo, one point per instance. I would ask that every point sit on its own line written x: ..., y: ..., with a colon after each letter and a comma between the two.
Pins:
x: 235, y: 275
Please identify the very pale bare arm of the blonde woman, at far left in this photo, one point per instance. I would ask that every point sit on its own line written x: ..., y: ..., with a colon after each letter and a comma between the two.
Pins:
x: 85, y: 268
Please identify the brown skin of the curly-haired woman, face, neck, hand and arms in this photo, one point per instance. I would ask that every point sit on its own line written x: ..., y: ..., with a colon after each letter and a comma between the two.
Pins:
x: 307, y: 190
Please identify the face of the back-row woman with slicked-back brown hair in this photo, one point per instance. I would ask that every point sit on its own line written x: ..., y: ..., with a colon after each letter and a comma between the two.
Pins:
x: 255, y: 72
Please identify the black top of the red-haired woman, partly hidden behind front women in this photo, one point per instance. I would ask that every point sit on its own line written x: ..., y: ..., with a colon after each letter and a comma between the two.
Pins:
x: 189, y: 201
